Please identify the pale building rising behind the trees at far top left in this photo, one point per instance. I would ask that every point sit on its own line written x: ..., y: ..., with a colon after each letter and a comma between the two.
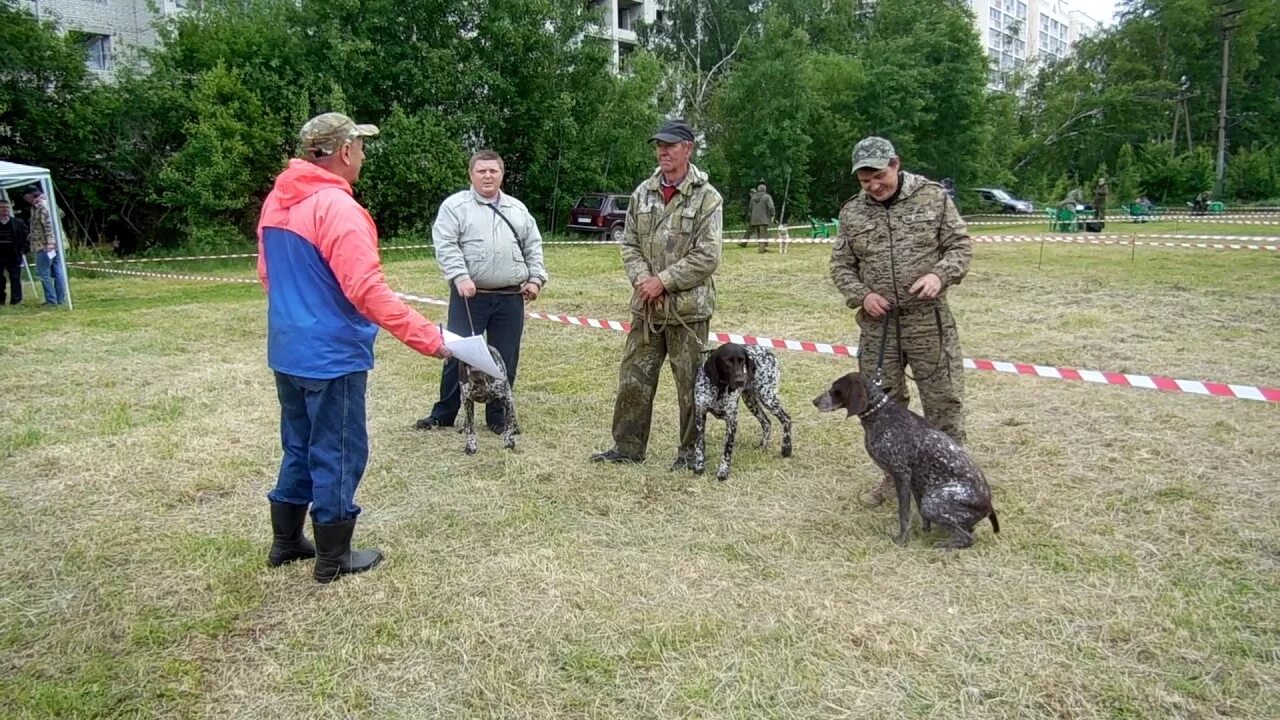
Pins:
x: 107, y: 28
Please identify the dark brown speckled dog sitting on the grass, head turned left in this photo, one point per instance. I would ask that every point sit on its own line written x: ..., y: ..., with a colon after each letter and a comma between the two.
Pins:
x: 925, y: 462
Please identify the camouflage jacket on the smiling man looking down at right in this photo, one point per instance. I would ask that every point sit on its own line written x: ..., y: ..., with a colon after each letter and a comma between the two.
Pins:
x: 885, y: 250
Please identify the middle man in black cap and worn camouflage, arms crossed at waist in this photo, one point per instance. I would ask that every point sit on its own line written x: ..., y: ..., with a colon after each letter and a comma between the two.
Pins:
x: 670, y: 252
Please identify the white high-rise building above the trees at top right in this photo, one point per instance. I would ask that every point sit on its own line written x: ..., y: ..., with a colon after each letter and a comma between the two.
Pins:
x: 1017, y: 33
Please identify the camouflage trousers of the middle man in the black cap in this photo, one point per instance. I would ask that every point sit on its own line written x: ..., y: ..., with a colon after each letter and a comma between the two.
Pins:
x: 638, y: 382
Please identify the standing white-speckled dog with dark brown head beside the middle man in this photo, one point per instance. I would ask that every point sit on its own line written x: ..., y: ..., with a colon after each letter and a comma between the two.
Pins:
x: 732, y: 372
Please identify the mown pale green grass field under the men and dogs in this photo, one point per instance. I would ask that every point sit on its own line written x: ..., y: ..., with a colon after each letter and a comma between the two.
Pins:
x: 1137, y: 576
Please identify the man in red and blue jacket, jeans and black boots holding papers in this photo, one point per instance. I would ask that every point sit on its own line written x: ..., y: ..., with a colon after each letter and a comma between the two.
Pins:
x: 326, y: 299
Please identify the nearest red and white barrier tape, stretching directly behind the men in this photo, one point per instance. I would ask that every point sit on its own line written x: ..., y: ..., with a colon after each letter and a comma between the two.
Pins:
x: 1126, y: 380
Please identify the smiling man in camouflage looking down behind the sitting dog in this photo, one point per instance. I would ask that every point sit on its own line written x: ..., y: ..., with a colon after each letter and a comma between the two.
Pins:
x: 902, y: 245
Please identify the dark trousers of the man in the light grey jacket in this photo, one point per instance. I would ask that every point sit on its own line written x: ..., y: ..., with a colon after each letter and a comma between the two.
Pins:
x: 501, y: 318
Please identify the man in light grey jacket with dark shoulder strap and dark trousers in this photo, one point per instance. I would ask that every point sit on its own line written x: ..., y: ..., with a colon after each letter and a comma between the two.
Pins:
x: 490, y: 249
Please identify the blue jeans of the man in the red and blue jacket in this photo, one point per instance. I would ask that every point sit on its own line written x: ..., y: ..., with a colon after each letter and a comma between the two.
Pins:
x: 326, y: 444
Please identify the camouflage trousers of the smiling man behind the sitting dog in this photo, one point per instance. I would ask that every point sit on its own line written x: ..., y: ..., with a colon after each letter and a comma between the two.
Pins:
x: 940, y: 382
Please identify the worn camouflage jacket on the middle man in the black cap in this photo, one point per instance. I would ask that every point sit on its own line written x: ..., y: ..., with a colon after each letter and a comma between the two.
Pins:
x: 679, y: 243
